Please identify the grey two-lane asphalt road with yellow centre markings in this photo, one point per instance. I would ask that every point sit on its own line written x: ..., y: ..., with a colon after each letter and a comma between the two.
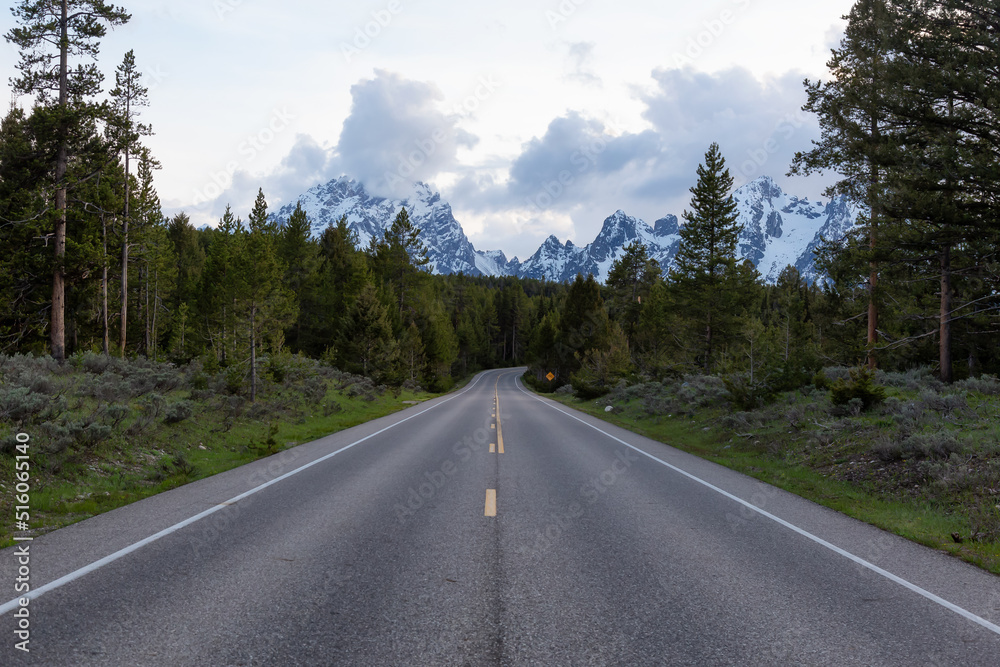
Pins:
x: 380, y: 546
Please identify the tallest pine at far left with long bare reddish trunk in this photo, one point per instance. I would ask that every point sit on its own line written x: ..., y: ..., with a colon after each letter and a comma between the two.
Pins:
x: 72, y: 27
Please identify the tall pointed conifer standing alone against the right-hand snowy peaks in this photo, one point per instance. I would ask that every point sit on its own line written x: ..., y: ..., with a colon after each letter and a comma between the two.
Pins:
x: 703, y: 276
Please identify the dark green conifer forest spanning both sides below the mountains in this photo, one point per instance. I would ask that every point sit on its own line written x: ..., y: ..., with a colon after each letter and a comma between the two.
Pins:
x: 909, y: 123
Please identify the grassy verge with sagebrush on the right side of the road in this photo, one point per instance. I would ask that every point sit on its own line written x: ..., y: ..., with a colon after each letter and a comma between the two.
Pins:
x: 925, y: 465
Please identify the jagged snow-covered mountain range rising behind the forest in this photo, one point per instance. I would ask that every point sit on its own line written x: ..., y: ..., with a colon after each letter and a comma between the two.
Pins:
x: 777, y: 230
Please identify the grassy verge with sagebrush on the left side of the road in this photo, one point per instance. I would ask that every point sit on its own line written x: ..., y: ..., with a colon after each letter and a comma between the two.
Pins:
x: 166, y: 427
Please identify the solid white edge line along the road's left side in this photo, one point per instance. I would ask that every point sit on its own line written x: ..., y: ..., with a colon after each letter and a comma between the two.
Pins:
x: 87, y: 569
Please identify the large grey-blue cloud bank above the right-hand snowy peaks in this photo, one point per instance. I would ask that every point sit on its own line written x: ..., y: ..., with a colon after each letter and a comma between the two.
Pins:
x: 581, y: 169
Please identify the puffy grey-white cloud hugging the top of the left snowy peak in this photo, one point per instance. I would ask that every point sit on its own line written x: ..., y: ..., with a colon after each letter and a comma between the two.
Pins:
x: 396, y: 133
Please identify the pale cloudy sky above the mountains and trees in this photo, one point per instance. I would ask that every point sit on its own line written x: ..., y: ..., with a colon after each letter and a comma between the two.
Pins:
x: 531, y: 117
